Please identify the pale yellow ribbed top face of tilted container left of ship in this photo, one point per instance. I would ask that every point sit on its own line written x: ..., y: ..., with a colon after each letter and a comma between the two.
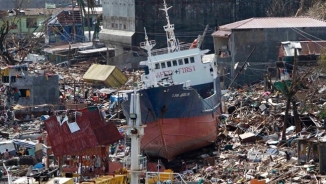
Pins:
x: 98, y: 72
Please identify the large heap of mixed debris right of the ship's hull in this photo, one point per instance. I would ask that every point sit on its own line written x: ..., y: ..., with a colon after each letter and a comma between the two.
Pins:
x: 251, y: 148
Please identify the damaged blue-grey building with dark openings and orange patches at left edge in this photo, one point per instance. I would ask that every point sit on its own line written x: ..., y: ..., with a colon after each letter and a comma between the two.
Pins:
x: 29, y: 90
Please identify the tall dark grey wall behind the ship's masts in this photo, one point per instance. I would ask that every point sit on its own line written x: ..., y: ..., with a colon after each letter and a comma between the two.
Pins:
x: 189, y: 17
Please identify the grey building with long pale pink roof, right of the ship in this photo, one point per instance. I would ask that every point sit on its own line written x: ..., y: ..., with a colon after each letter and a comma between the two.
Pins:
x: 234, y: 42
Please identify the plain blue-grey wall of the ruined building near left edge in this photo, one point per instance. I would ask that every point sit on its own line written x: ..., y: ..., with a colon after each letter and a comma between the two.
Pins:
x: 43, y: 91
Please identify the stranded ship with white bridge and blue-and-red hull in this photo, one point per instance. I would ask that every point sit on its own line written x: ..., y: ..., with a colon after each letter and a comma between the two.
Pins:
x: 179, y: 96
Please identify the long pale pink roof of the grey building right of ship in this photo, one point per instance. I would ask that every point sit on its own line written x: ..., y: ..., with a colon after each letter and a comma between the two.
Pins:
x: 274, y: 22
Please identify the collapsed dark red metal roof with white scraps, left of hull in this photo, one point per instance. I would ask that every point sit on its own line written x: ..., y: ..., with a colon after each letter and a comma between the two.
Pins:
x: 94, y: 131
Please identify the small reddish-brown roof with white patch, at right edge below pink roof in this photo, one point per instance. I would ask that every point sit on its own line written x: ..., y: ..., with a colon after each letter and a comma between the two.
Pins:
x: 304, y: 48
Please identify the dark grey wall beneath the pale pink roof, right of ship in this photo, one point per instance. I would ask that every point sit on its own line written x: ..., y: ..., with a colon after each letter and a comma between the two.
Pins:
x: 267, y: 42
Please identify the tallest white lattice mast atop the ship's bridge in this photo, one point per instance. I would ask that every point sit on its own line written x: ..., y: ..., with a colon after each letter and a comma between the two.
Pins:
x: 172, y: 42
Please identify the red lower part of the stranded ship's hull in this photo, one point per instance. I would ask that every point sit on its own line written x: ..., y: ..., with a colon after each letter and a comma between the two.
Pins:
x: 170, y: 137
